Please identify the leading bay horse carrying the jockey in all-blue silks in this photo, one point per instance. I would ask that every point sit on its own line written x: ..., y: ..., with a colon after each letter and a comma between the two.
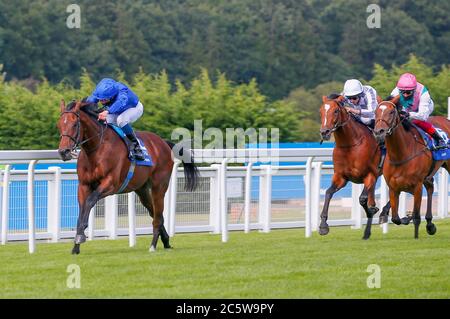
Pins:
x: 103, y: 166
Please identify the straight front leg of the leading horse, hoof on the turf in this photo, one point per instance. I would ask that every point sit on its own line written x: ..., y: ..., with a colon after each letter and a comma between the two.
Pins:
x: 86, y: 200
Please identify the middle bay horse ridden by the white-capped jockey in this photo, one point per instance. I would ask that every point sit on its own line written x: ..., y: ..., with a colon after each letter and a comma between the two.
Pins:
x: 356, y: 158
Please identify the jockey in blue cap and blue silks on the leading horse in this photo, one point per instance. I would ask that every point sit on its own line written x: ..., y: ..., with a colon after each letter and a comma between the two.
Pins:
x: 123, y: 108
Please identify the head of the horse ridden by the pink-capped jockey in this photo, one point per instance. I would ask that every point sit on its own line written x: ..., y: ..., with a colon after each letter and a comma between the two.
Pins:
x: 387, y: 118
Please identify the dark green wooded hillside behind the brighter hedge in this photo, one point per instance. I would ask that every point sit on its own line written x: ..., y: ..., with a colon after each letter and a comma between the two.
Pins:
x: 283, y: 44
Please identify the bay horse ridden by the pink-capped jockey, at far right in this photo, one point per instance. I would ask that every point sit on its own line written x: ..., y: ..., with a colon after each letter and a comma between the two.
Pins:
x: 409, y: 163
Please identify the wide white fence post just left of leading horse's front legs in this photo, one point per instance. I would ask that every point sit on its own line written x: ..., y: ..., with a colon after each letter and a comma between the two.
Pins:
x: 54, y: 204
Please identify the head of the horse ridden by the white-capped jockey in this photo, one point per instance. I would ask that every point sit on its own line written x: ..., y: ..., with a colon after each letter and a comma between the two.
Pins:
x: 332, y: 114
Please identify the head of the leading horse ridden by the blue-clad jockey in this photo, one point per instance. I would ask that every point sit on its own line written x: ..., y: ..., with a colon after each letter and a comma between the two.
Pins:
x: 69, y: 127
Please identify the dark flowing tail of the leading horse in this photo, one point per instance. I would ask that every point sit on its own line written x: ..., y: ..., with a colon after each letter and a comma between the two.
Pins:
x: 186, y: 155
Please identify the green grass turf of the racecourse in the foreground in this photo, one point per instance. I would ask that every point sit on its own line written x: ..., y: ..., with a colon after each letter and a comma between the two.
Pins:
x: 279, y: 264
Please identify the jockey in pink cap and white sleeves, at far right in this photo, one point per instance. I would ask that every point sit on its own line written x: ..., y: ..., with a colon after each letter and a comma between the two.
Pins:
x: 418, y: 105
